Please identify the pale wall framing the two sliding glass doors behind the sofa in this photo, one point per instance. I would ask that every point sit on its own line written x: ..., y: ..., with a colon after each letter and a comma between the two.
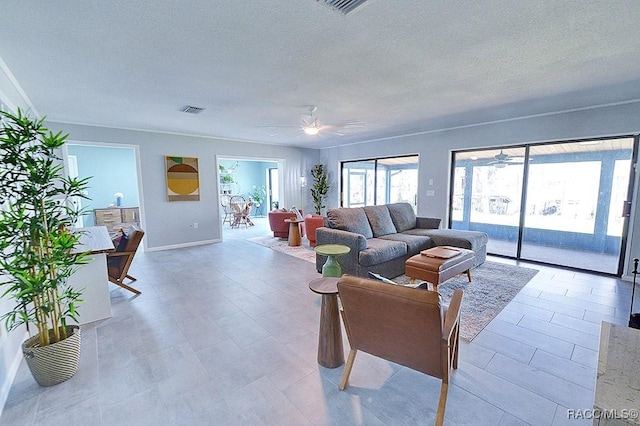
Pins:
x: 435, y: 151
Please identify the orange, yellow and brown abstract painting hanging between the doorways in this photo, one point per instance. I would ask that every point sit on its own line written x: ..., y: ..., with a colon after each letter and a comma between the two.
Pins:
x: 182, y: 179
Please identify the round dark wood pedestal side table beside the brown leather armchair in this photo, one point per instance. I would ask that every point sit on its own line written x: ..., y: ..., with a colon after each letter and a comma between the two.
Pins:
x: 330, y: 352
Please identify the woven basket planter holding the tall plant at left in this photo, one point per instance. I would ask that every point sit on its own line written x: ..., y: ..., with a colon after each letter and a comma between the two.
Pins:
x: 54, y: 363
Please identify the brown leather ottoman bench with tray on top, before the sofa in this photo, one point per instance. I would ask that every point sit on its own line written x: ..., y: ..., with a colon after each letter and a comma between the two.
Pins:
x: 436, y: 268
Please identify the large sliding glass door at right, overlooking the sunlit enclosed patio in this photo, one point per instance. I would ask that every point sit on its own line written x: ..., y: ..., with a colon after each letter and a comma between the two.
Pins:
x: 557, y: 203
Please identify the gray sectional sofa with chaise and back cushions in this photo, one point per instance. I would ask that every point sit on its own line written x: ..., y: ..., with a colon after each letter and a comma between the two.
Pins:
x: 382, y: 237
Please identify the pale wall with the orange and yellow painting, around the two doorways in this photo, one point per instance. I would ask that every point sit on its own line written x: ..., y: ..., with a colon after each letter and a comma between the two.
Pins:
x: 167, y: 224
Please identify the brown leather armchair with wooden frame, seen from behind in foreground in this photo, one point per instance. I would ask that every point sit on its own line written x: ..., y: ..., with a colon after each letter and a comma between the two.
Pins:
x: 408, y: 326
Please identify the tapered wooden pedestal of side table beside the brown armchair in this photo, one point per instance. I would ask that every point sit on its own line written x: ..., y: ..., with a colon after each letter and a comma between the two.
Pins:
x: 330, y: 352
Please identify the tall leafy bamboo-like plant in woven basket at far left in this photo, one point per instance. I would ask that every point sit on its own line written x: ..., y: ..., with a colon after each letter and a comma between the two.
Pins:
x: 38, y: 247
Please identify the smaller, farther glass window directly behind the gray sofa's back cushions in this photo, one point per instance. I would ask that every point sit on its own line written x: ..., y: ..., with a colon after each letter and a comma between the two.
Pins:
x: 380, y: 181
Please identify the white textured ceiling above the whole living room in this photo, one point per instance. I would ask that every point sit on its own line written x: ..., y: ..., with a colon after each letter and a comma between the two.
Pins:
x: 400, y: 67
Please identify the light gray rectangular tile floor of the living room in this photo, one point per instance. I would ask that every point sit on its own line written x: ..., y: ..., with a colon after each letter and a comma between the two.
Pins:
x: 226, y: 334
